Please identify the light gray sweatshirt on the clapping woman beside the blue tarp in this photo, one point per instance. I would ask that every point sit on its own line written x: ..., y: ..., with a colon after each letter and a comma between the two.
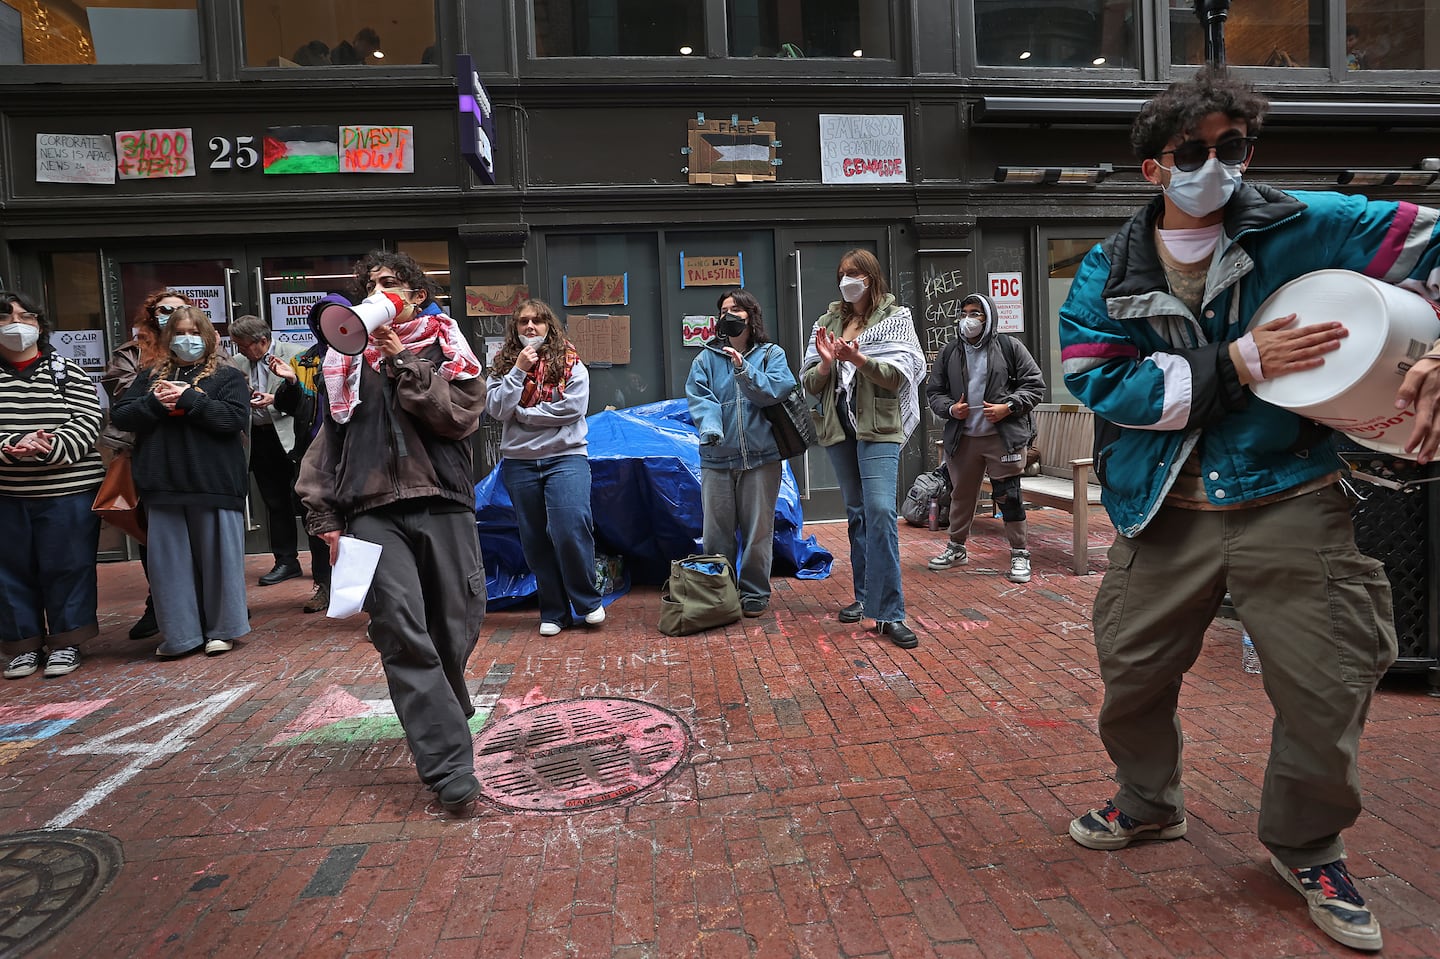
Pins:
x: 557, y: 428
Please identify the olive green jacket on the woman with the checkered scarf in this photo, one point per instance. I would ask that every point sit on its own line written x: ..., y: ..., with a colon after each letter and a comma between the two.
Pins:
x: 876, y: 387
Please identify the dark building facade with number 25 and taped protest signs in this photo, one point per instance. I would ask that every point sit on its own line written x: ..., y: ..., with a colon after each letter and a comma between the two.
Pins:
x: 256, y: 149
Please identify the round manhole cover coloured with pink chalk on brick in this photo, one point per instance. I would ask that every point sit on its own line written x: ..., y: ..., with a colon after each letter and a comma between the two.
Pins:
x: 580, y: 754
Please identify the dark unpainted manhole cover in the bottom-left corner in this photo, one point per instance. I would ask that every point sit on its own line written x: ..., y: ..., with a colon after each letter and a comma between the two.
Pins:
x: 48, y: 879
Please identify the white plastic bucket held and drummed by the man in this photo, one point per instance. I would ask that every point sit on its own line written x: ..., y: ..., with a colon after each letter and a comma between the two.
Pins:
x: 1356, y: 390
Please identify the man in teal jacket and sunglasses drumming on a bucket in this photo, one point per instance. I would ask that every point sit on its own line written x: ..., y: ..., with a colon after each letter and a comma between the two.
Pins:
x: 1212, y: 489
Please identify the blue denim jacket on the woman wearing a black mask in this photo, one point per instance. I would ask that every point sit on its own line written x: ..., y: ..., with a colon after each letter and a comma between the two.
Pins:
x: 726, y: 405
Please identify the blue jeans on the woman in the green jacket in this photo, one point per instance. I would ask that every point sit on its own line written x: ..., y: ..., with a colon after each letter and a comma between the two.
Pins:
x: 869, y: 474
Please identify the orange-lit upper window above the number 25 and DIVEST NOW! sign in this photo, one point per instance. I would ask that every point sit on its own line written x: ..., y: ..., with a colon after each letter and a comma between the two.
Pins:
x: 338, y: 34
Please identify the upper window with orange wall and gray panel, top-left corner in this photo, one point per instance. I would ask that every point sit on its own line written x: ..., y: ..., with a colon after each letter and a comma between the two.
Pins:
x: 91, y: 32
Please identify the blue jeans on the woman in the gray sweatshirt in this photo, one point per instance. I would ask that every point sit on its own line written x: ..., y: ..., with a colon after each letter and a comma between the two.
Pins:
x: 552, y: 500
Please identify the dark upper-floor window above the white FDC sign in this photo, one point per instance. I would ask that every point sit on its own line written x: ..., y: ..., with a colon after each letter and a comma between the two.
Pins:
x: 1095, y: 34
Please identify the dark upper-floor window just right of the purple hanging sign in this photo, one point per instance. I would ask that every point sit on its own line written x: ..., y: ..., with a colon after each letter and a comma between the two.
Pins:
x: 620, y: 28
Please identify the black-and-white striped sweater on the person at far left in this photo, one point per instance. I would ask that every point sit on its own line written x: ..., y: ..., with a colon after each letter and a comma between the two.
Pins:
x: 55, y: 395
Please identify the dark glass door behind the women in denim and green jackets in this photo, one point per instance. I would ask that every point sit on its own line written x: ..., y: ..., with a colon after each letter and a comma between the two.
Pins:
x: 813, y: 258
